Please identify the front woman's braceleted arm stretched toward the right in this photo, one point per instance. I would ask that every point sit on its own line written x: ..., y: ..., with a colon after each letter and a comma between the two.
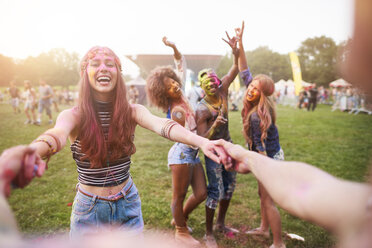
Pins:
x: 176, y: 133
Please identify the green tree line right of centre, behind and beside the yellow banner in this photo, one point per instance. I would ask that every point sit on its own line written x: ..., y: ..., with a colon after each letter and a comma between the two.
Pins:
x: 318, y: 57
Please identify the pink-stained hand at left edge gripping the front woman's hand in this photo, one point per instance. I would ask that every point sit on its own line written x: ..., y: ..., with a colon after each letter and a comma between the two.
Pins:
x: 18, y: 166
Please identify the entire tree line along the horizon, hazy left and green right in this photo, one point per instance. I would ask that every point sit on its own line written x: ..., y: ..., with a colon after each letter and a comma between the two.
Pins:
x: 318, y: 58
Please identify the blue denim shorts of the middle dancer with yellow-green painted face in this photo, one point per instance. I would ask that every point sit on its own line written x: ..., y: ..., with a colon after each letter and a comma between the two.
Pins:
x: 221, y: 183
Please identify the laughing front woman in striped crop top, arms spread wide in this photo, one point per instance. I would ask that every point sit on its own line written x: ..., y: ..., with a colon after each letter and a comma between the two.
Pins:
x: 101, y: 131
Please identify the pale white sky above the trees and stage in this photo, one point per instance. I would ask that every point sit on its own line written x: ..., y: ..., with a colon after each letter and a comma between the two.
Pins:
x: 129, y: 27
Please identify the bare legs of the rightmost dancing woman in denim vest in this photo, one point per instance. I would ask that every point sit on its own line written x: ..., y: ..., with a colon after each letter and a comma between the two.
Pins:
x: 269, y: 216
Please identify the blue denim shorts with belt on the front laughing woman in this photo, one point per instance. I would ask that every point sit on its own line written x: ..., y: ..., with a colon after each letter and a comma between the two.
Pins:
x: 90, y: 213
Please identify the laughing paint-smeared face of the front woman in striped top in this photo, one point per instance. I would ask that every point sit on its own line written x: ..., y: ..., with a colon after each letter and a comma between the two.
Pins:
x: 102, y: 73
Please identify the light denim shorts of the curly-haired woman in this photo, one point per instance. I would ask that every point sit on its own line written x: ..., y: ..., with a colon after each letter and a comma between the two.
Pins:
x: 183, y: 154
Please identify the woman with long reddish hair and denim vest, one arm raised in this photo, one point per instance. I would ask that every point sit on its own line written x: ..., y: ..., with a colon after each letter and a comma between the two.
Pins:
x: 262, y: 136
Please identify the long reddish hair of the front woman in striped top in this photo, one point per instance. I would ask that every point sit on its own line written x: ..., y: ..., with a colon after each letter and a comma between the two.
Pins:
x: 122, y: 124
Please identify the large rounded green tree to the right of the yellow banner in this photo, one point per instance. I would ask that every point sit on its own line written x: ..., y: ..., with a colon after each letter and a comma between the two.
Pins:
x: 318, y: 59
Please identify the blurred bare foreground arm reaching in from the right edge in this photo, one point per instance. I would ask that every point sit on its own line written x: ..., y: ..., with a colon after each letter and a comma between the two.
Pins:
x: 304, y: 190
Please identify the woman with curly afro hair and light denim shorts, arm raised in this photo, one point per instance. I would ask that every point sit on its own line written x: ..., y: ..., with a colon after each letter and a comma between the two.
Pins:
x: 164, y: 91
